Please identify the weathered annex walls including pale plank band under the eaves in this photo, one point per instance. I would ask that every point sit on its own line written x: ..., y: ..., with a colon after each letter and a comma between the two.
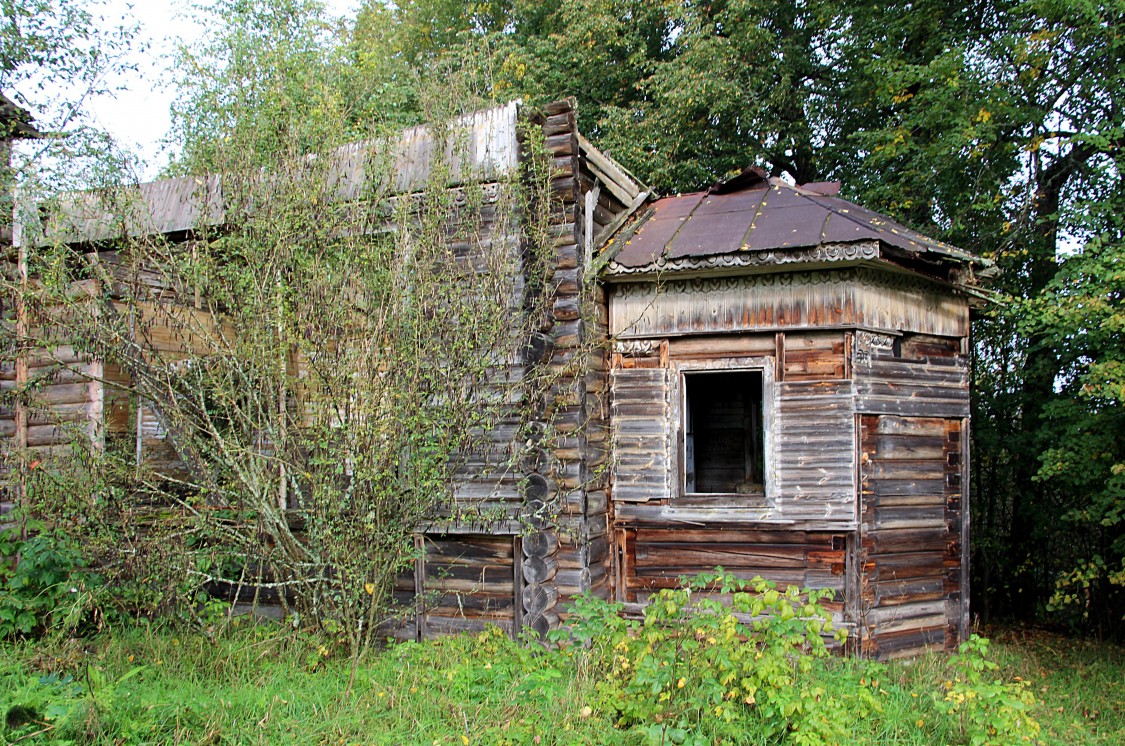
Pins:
x: 866, y: 448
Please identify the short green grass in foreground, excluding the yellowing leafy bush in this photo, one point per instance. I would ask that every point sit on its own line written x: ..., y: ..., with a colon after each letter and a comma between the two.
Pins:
x: 260, y: 686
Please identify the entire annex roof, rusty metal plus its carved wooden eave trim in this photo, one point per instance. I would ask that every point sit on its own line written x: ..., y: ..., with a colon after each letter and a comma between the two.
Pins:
x: 755, y: 224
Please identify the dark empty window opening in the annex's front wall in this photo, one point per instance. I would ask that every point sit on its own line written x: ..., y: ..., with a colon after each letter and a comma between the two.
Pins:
x: 724, y: 442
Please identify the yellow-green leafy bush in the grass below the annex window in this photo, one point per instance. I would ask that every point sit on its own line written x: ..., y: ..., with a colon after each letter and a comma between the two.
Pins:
x: 717, y: 661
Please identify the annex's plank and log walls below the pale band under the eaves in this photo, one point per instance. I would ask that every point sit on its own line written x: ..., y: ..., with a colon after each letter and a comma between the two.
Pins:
x: 852, y: 461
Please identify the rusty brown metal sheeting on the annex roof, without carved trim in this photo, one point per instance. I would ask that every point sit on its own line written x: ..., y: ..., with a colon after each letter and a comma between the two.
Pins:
x: 753, y: 213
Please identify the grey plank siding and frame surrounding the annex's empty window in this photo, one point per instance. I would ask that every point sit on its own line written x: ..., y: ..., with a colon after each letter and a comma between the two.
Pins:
x: 811, y: 445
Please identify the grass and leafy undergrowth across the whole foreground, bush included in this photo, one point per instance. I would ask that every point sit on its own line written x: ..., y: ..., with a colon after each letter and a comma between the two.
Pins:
x: 232, y: 681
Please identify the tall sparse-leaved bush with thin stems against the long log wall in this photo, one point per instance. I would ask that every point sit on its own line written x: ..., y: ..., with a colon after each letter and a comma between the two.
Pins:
x: 327, y: 362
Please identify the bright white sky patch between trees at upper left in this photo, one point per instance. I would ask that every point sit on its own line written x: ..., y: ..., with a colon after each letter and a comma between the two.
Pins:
x: 139, y: 115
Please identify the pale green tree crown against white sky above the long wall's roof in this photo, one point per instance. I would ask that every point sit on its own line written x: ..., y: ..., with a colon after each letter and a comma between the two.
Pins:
x: 267, y: 82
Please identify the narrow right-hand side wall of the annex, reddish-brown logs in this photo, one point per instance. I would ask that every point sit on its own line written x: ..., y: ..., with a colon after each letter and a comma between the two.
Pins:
x: 913, y: 398
